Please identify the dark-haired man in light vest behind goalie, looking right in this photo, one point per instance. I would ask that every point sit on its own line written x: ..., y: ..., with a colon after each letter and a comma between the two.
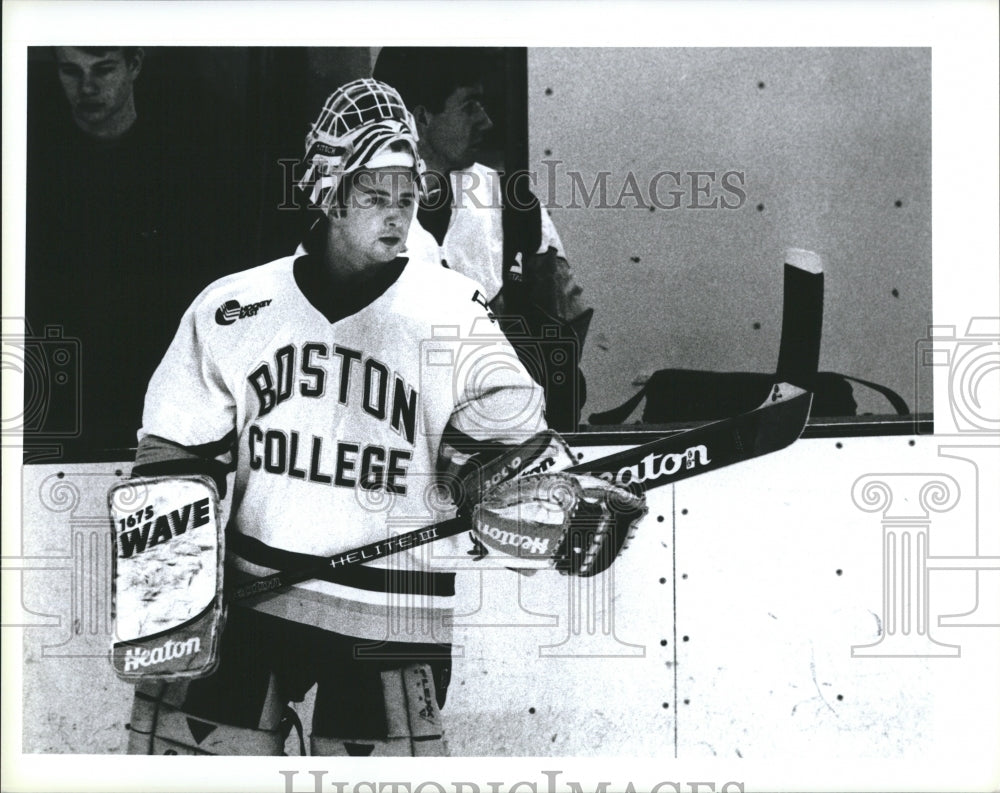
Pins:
x: 510, y: 246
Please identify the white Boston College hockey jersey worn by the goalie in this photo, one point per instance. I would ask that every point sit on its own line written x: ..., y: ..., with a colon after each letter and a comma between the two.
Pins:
x: 338, y: 430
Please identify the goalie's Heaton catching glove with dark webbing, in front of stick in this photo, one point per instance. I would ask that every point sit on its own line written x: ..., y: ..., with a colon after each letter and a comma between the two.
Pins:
x: 574, y: 522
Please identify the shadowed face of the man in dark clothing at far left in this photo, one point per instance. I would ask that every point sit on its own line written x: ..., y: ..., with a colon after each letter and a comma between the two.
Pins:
x: 99, y: 88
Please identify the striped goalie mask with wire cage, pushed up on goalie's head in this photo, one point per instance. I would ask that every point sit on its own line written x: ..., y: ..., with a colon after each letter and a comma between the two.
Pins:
x: 364, y: 124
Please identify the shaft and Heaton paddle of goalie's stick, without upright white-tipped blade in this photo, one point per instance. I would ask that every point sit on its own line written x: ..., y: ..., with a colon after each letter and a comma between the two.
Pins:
x: 774, y: 425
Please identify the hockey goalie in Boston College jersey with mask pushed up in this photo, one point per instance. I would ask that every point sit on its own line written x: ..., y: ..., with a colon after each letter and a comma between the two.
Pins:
x: 313, y: 400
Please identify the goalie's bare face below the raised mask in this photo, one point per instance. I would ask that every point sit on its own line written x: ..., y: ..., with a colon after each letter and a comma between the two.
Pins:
x: 373, y: 230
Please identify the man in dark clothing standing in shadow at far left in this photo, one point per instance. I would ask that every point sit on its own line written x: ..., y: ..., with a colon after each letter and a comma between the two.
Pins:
x: 122, y: 232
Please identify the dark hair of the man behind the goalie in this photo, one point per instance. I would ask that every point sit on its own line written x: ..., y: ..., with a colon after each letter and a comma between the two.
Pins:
x: 429, y: 75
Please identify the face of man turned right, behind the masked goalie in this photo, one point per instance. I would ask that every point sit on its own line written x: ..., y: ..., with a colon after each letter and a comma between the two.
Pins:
x: 451, y: 139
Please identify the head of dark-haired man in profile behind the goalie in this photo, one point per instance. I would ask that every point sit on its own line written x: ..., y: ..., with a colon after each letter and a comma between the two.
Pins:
x: 443, y: 88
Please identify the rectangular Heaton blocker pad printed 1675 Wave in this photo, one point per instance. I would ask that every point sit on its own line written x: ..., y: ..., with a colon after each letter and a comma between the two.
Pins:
x: 167, y: 579
